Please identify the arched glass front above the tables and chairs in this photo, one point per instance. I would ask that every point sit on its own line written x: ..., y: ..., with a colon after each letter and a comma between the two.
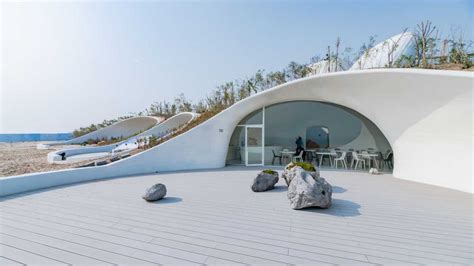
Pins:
x: 284, y: 122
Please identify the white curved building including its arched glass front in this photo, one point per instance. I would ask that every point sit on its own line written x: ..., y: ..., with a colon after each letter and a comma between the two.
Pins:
x: 424, y: 116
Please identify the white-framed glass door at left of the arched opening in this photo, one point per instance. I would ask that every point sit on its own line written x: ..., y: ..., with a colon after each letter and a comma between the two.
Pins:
x: 254, y: 145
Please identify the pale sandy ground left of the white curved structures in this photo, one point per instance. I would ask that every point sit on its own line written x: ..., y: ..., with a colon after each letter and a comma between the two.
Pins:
x: 22, y: 158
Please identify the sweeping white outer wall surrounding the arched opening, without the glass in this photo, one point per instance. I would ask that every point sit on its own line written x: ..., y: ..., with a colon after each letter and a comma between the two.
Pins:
x: 426, y: 116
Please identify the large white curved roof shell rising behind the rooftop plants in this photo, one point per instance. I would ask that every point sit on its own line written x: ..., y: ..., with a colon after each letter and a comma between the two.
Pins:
x: 387, y: 52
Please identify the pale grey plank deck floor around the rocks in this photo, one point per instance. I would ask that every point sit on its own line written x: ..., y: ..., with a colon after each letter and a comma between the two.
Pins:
x: 212, y: 217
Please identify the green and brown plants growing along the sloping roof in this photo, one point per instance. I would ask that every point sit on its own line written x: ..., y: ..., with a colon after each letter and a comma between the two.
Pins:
x: 432, y: 51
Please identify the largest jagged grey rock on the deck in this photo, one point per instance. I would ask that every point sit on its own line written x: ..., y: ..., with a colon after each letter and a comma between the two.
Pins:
x: 307, y: 189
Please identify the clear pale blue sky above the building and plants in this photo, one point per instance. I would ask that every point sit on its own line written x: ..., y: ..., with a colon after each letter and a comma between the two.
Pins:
x: 69, y: 64
